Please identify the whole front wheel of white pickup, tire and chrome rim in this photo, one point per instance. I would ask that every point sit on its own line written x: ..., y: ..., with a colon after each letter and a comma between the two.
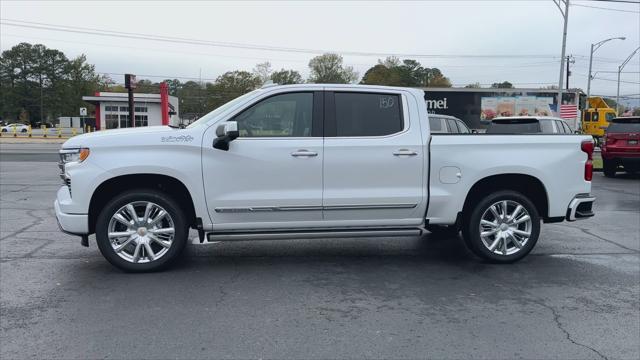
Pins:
x: 141, y: 230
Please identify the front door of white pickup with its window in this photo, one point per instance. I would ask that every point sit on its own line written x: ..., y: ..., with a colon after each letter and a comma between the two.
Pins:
x: 271, y: 176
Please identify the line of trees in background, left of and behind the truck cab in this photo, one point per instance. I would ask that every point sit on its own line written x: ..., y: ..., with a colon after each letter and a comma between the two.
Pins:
x: 39, y: 84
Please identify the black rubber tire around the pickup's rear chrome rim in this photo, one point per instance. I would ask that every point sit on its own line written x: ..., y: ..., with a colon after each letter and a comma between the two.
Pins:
x: 471, y: 227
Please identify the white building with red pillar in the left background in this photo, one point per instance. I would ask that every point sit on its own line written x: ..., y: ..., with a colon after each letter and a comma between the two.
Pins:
x: 112, y: 109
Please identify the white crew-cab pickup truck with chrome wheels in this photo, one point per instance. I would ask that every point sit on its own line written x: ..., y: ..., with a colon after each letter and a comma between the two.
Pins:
x: 317, y: 161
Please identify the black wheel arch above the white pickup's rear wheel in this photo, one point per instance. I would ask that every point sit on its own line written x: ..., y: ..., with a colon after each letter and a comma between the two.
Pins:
x: 528, y: 185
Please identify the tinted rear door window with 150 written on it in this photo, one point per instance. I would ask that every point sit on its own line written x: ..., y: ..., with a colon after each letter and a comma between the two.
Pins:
x: 367, y: 114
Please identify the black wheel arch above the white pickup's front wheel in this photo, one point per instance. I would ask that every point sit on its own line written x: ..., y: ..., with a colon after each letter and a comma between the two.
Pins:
x: 119, y: 184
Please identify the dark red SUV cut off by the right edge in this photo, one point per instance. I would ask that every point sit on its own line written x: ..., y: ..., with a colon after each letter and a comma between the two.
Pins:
x: 621, y: 146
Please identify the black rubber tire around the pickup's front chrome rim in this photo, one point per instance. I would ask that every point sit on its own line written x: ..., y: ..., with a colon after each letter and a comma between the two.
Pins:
x: 172, y: 208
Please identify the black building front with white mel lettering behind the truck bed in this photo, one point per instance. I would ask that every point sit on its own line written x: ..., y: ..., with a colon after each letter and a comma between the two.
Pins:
x: 478, y: 106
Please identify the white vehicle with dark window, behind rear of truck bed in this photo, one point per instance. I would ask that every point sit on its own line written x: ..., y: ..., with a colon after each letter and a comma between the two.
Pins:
x: 528, y: 125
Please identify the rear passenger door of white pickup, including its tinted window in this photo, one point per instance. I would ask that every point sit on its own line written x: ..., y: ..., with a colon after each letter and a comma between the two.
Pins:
x: 373, y: 160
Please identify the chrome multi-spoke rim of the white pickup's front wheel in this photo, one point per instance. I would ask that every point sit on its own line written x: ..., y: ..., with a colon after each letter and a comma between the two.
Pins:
x: 141, y: 232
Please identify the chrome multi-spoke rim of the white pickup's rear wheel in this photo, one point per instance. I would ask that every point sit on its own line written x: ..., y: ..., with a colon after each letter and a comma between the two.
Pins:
x: 505, y: 227
